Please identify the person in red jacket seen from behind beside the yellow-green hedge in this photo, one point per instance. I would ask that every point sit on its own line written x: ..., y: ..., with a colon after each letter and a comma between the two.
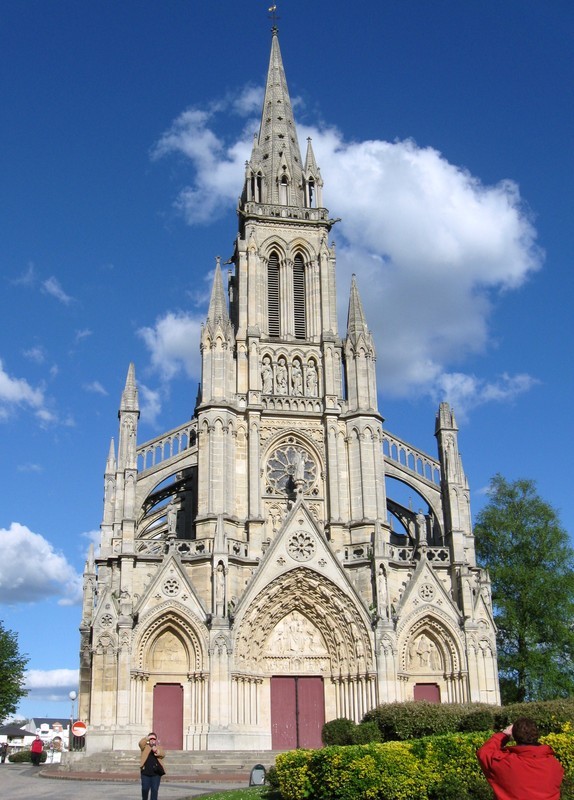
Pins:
x: 527, y: 771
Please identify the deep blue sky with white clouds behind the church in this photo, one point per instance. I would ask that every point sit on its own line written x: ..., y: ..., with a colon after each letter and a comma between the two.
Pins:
x: 444, y: 132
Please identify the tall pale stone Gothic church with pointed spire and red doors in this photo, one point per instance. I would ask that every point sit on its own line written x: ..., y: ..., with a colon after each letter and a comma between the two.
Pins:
x: 255, y: 578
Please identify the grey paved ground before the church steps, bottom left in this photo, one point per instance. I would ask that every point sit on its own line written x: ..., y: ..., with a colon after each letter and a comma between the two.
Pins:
x: 25, y: 782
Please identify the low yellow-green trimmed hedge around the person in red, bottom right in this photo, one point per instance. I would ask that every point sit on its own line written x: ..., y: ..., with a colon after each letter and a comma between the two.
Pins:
x: 434, y: 768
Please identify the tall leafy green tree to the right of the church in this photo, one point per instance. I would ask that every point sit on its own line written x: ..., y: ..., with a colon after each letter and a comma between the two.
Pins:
x: 521, y: 542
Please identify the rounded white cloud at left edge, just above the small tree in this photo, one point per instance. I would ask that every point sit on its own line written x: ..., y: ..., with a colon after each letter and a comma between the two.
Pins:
x: 31, y: 570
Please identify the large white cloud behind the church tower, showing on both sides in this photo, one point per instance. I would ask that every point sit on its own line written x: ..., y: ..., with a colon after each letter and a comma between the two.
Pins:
x: 433, y: 249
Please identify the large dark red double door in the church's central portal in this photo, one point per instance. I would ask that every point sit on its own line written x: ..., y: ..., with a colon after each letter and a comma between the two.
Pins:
x: 297, y: 712
